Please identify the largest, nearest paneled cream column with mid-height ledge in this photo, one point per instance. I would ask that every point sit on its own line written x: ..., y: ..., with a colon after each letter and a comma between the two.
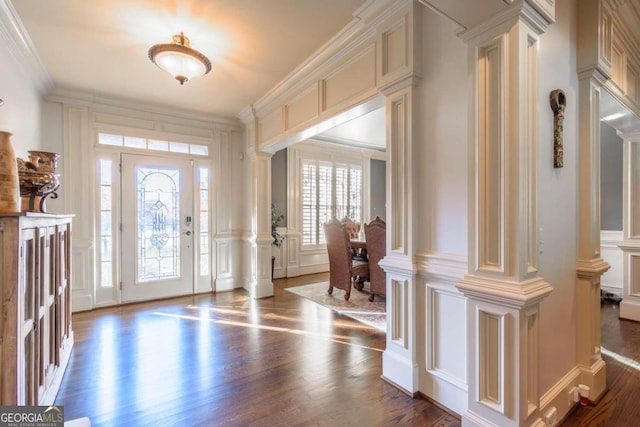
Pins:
x: 503, y: 286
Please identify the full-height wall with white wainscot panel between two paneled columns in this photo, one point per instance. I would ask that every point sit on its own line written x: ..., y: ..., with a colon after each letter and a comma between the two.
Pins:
x: 442, y: 226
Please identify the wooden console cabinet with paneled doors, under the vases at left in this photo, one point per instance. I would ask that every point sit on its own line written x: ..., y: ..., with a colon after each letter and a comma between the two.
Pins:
x: 35, y: 317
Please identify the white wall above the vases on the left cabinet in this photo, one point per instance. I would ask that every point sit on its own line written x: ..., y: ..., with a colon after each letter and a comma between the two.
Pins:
x: 21, y: 113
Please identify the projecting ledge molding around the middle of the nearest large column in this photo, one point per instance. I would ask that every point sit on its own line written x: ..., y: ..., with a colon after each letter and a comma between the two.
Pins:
x: 502, y: 292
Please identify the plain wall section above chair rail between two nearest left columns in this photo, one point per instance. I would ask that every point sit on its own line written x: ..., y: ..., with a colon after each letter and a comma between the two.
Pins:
x: 442, y: 216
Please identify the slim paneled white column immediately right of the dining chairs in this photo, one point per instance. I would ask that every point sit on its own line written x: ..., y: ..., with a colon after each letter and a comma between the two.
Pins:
x: 399, y: 361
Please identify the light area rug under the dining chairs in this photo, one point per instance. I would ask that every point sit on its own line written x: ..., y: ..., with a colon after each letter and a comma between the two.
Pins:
x: 358, y: 307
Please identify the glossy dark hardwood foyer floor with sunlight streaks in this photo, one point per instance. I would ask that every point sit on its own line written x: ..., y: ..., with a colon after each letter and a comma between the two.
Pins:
x: 228, y: 360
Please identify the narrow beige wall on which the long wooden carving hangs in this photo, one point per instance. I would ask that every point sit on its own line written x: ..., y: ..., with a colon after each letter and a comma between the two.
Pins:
x: 557, y: 199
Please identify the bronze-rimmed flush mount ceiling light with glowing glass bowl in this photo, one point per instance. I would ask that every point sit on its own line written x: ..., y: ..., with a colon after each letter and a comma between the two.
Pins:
x: 179, y: 59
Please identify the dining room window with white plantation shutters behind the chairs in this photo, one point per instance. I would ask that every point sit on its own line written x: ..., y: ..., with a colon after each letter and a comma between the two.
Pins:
x: 329, y: 190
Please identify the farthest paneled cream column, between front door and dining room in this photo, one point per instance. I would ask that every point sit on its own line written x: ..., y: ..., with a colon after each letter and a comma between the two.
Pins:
x: 260, y: 284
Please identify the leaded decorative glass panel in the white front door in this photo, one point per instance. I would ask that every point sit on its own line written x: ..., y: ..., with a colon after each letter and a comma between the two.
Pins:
x: 158, y: 228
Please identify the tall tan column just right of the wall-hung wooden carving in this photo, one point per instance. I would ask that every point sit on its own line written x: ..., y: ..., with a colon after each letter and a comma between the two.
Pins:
x: 593, y: 62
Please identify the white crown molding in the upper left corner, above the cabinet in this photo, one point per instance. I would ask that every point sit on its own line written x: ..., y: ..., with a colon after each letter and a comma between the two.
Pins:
x: 19, y: 43
